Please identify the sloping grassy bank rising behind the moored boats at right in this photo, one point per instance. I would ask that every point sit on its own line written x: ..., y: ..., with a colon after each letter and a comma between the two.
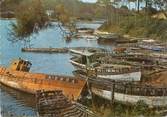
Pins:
x: 138, y: 26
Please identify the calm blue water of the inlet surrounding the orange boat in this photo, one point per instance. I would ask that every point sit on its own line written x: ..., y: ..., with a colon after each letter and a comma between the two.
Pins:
x: 21, y: 103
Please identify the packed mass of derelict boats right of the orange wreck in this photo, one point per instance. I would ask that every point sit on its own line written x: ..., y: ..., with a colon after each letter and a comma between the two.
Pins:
x: 127, y: 66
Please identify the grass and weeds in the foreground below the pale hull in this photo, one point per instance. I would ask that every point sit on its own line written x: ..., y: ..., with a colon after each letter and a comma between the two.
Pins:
x: 103, y: 108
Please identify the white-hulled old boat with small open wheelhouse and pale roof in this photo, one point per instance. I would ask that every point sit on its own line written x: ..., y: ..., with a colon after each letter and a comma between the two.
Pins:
x: 88, y: 62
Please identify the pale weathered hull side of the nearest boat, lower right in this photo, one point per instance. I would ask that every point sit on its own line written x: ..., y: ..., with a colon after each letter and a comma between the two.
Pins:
x: 152, y: 101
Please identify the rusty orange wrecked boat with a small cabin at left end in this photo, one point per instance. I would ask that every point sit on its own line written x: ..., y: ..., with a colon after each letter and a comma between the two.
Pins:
x: 17, y: 76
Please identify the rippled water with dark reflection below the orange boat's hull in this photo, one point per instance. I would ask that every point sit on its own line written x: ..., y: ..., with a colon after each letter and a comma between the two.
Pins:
x: 16, y: 102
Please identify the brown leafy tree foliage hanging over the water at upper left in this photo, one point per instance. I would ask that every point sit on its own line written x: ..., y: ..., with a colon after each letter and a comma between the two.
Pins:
x: 30, y: 18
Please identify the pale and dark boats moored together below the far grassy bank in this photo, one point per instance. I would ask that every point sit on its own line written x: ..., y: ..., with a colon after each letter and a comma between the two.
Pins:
x: 103, y: 37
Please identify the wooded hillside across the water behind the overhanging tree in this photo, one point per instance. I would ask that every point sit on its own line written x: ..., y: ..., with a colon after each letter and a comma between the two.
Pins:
x: 78, y: 9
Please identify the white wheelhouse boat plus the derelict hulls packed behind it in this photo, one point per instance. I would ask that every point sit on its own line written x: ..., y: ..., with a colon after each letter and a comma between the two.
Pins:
x: 123, y: 63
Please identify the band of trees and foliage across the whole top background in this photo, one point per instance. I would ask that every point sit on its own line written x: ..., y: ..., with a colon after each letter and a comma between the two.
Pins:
x: 31, y: 14
